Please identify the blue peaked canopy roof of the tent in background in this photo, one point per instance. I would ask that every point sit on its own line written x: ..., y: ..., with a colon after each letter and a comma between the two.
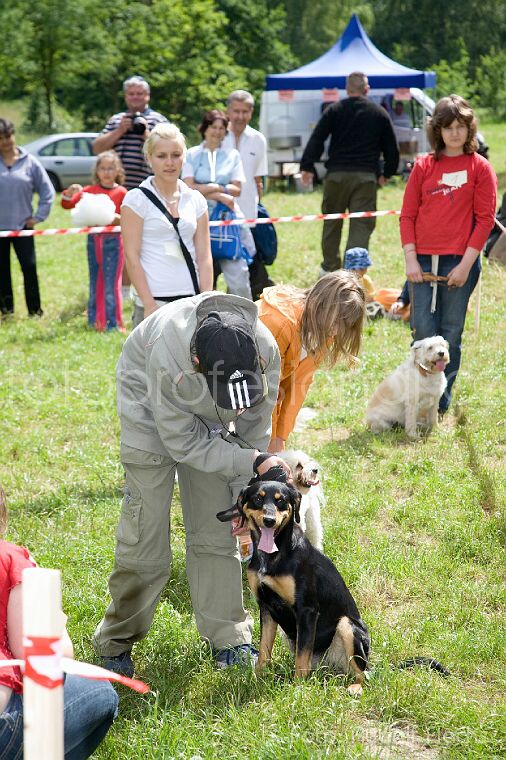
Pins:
x: 353, y: 51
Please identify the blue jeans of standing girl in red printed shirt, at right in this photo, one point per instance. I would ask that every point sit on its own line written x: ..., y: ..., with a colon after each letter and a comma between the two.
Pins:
x: 450, y: 316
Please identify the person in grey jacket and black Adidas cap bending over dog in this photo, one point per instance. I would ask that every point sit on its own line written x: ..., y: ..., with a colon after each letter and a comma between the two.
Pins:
x: 197, y: 382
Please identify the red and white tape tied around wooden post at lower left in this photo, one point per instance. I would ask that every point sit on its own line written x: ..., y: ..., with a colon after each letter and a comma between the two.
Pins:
x: 44, y: 664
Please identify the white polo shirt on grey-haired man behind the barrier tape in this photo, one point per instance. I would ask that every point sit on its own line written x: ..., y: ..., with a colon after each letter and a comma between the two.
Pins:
x: 253, y: 151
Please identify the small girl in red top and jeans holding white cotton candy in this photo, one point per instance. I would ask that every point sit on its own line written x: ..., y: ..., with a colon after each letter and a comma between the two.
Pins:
x: 105, y: 249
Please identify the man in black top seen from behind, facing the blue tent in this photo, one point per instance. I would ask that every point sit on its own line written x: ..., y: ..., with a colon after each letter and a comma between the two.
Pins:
x: 360, y: 132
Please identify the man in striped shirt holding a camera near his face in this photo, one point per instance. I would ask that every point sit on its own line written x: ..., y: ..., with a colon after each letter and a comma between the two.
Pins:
x: 126, y: 132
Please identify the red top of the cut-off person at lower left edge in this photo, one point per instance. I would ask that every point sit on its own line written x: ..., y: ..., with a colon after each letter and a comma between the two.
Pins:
x: 13, y: 560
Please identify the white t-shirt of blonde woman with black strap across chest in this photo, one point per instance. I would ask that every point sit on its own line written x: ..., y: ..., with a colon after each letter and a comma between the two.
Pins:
x: 162, y: 259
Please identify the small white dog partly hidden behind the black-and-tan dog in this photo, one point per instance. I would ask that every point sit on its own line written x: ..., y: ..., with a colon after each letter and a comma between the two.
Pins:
x: 307, y: 482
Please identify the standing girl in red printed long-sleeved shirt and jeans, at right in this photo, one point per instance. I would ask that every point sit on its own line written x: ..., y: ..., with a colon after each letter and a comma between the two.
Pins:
x: 447, y: 214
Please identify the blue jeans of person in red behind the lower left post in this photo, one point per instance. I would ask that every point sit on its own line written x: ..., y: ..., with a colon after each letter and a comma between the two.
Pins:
x: 89, y: 710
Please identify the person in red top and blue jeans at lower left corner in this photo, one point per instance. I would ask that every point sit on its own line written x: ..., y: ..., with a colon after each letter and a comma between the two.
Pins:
x: 89, y: 706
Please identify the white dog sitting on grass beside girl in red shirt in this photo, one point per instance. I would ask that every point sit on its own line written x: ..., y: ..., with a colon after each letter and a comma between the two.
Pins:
x: 410, y: 395
